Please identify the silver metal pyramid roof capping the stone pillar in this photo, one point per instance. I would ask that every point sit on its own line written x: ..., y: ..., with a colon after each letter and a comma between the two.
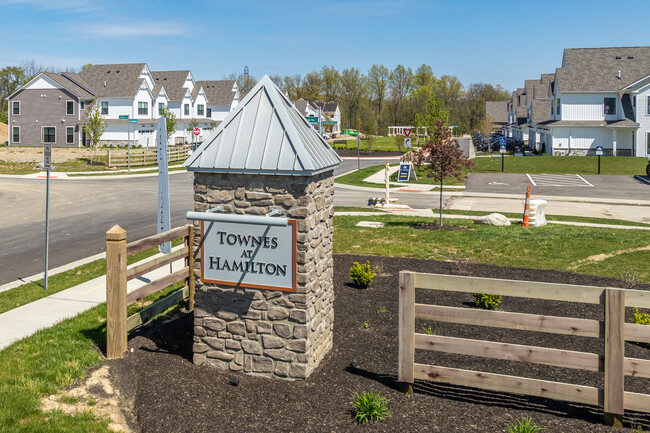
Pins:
x: 264, y: 134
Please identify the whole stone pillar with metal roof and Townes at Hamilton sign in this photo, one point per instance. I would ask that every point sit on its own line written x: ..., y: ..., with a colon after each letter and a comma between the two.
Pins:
x: 264, y: 293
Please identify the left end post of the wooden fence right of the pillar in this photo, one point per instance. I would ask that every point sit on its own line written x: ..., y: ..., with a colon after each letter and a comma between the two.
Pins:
x: 406, y: 331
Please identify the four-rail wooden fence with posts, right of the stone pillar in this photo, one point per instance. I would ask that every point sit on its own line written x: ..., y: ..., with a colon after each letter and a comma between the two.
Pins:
x: 612, y: 397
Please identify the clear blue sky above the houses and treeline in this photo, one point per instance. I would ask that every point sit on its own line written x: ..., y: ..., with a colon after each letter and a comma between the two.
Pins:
x: 498, y: 42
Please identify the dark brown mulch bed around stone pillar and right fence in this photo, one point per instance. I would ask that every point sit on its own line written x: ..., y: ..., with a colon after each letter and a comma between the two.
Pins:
x: 170, y: 394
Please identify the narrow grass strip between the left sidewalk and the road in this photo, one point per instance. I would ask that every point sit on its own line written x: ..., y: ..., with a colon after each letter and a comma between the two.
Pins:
x: 31, y: 292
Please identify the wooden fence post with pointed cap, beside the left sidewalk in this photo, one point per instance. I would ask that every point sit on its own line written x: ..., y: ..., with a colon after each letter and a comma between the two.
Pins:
x: 115, y: 292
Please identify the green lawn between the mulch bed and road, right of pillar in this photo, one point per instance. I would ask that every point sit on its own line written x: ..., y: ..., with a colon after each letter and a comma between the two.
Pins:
x: 548, y: 247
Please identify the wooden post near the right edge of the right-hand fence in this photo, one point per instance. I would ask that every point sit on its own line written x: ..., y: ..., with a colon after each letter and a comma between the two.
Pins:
x: 614, y: 356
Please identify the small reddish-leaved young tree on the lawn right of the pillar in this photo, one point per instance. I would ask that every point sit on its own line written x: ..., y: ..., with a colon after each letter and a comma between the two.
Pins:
x: 443, y: 155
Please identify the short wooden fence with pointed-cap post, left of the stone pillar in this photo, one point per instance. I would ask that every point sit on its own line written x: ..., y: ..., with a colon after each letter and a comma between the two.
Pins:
x: 117, y: 275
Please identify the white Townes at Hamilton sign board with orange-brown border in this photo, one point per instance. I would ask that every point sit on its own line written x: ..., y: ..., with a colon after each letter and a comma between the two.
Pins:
x: 249, y: 255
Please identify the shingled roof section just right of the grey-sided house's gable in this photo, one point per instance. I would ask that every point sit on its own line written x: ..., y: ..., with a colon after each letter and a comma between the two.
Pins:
x: 117, y: 80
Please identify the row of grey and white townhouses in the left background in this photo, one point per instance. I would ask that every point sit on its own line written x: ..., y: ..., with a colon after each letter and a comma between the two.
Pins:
x: 51, y: 108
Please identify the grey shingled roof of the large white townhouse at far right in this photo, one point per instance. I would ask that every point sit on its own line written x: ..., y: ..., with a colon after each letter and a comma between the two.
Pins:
x: 597, y: 69
